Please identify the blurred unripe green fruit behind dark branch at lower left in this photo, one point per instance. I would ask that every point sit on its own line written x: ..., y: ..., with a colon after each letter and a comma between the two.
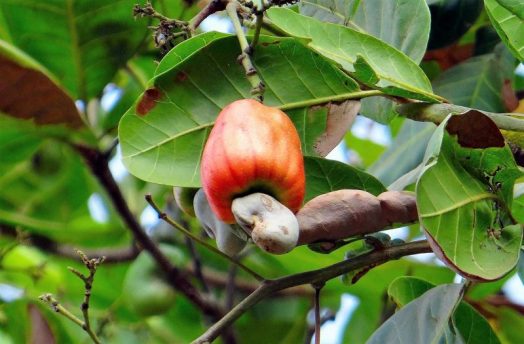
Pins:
x: 145, y: 290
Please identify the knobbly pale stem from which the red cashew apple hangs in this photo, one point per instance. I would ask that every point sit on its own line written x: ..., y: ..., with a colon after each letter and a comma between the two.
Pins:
x: 257, y: 85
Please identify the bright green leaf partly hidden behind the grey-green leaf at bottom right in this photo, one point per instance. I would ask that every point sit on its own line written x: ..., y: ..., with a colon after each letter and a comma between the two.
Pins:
x: 472, y: 326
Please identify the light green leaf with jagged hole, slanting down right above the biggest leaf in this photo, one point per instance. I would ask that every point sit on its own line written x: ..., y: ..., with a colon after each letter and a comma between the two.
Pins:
x: 359, y: 54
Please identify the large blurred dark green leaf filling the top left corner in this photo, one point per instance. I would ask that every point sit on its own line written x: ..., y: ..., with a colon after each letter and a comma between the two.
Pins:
x: 83, y: 43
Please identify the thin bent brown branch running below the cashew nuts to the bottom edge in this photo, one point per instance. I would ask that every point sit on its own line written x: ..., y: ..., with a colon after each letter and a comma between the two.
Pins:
x: 319, y: 276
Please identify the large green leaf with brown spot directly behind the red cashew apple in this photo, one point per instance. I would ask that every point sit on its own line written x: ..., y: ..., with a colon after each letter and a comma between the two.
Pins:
x: 163, y: 134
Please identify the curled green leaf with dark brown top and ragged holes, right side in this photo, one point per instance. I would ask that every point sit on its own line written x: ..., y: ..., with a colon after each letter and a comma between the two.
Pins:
x: 463, y: 202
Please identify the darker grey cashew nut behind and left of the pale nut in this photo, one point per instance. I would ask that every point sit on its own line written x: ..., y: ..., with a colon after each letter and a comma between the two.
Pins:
x: 227, y: 238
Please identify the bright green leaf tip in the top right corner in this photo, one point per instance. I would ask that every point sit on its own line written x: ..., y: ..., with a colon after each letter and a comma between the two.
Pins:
x: 507, y: 16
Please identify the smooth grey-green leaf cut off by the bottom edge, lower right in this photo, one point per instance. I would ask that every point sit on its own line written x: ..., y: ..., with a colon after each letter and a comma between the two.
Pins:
x: 409, y: 324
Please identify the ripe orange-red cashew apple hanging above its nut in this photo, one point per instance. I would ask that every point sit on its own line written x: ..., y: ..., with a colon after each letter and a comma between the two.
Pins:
x: 252, y: 148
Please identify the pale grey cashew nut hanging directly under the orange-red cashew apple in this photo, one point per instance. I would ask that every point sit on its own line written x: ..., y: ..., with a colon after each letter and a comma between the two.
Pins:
x: 272, y: 226
